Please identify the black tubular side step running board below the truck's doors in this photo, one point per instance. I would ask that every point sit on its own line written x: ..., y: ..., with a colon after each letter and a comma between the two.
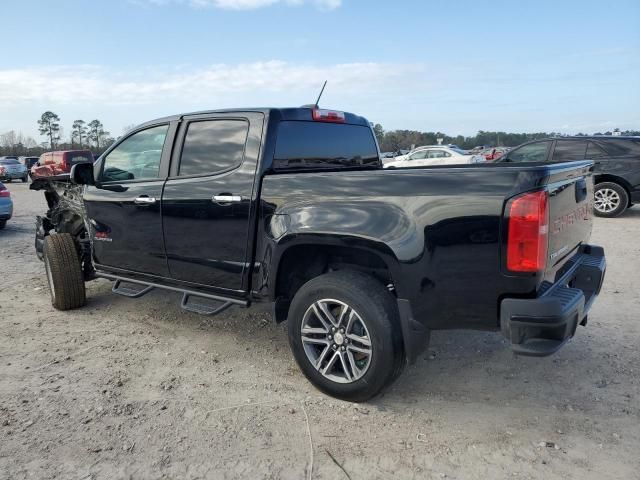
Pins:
x: 126, y: 287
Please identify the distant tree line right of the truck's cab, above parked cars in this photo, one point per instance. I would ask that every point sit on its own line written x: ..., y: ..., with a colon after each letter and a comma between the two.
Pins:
x: 394, y: 140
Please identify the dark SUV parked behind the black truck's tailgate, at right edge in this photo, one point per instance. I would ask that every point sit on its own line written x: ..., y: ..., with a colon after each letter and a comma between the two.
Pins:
x: 617, y: 166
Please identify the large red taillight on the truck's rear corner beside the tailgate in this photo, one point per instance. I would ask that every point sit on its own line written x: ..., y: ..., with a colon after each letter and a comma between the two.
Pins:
x: 528, y: 233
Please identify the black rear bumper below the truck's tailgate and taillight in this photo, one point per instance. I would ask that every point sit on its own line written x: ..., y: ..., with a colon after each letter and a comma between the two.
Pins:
x: 540, y: 326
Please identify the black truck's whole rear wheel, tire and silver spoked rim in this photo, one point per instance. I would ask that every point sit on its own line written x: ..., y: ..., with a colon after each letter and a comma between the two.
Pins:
x: 344, y: 334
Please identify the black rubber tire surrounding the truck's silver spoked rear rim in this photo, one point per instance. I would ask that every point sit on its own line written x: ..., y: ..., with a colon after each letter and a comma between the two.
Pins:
x: 378, y: 311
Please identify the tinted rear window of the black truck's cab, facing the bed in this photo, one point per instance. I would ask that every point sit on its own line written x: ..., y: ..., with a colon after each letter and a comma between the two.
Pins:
x: 311, y: 145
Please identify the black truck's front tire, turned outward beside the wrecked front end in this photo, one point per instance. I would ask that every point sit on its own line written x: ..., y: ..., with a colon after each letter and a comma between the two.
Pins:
x: 64, y: 272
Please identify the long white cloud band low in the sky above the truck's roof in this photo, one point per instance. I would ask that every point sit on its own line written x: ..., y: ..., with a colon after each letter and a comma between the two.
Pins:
x: 215, y: 84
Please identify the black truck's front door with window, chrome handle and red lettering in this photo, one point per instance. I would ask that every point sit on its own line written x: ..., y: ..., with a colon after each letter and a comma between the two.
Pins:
x: 124, y: 206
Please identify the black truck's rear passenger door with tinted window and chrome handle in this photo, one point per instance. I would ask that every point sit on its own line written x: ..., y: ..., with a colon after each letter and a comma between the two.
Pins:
x: 208, y: 200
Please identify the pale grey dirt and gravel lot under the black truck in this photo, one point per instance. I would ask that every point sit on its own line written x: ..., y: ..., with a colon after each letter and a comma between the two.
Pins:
x: 139, y: 389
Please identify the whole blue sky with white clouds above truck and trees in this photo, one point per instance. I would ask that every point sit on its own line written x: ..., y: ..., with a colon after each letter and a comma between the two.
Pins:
x: 451, y: 66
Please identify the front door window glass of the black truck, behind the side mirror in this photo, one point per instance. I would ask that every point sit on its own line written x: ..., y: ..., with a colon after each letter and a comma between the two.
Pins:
x: 137, y: 157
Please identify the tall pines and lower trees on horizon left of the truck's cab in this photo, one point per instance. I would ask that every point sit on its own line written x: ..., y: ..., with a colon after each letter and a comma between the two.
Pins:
x: 84, y: 136
